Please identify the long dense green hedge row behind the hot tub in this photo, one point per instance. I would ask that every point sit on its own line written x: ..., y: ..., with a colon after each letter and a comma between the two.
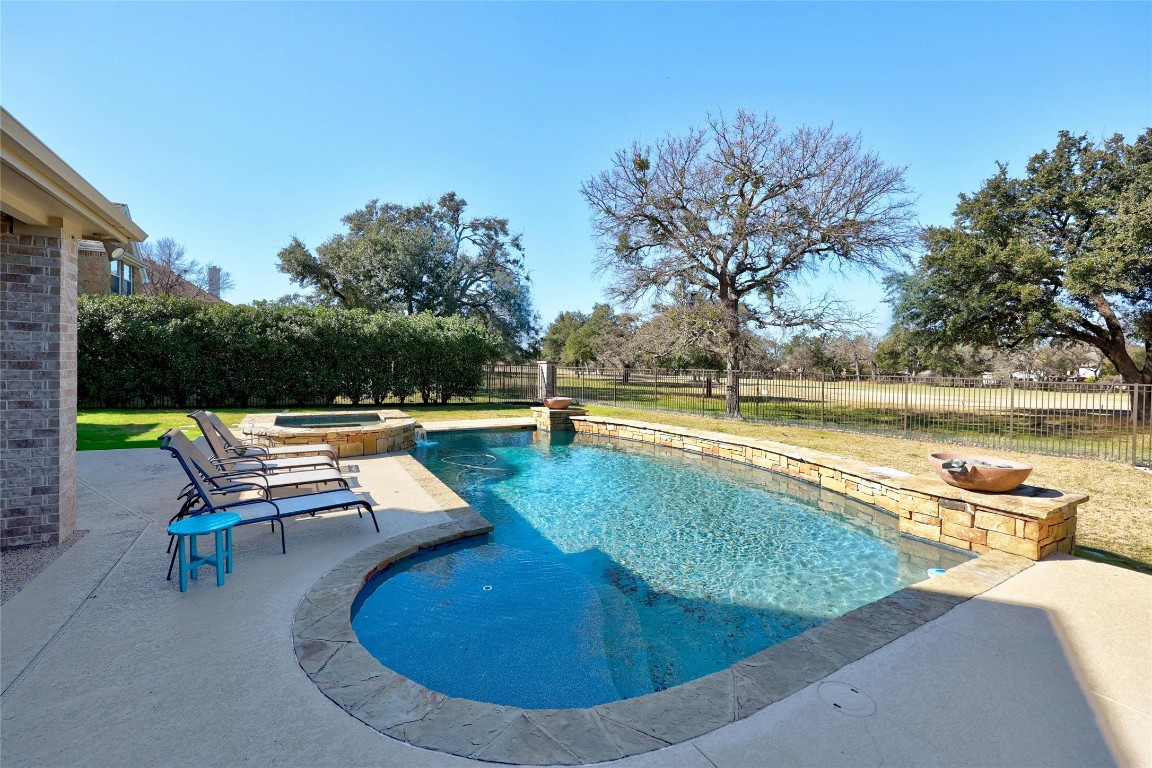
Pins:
x: 153, y: 352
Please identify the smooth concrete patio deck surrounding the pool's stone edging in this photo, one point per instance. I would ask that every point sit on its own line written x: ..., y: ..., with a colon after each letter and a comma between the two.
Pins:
x: 103, y: 663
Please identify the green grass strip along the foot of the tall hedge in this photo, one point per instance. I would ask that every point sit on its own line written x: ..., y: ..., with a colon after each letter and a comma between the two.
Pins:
x: 112, y: 429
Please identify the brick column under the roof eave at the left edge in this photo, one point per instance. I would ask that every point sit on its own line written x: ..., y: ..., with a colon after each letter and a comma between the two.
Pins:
x: 39, y: 287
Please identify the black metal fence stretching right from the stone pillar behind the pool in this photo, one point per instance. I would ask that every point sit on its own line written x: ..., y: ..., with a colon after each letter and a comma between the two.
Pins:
x: 1092, y: 421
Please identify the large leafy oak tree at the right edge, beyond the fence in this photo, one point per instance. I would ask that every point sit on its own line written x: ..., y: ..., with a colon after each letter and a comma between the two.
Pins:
x: 1064, y: 254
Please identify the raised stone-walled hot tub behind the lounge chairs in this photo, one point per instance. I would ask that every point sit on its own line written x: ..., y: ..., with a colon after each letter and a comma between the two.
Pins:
x: 352, y: 434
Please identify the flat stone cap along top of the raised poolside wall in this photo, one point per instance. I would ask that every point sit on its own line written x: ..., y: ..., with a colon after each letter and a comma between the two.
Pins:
x: 1028, y: 501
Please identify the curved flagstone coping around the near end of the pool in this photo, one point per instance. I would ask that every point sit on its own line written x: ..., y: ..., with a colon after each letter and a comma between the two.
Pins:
x: 331, y: 656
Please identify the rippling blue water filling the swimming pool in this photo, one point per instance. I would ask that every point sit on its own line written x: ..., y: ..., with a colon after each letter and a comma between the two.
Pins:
x: 618, y: 569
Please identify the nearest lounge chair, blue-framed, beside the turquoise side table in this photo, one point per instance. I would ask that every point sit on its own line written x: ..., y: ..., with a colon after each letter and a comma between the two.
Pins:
x: 207, y: 497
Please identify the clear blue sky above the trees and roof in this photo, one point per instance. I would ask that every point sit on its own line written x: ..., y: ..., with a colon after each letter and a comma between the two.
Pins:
x: 232, y: 127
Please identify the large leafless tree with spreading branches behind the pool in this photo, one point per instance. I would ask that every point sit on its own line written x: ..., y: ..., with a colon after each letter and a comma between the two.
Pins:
x: 741, y: 209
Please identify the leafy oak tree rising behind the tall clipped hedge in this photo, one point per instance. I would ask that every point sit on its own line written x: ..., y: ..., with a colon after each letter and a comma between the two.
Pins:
x: 425, y: 258
